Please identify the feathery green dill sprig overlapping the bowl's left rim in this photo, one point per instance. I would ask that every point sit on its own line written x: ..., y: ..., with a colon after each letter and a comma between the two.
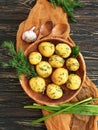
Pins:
x: 19, y: 61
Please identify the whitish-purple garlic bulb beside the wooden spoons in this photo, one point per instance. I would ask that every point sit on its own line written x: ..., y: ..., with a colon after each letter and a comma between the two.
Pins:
x: 29, y: 36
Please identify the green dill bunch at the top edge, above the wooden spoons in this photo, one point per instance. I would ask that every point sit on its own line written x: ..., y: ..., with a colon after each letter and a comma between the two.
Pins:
x: 68, y: 6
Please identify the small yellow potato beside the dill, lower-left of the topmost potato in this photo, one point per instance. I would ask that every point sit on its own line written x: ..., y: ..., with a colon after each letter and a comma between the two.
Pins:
x: 35, y: 58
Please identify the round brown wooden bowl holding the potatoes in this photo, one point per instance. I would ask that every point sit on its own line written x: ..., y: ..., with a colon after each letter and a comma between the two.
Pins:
x: 43, y: 98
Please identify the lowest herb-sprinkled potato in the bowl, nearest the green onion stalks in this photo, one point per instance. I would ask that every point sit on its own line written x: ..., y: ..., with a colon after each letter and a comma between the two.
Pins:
x: 54, y: 91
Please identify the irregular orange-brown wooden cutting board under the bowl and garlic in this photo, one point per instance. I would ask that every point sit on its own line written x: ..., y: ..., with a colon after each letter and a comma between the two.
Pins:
x: 40, y: 13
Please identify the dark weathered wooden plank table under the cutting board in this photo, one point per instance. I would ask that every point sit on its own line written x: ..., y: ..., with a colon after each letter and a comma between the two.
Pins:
x: 12, y: 98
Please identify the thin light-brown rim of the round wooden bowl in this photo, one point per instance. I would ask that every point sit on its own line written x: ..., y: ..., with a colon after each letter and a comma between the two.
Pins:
x: 45, y: 102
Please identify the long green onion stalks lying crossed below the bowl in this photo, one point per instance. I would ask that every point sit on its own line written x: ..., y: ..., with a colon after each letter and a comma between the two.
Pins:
x: 83, y: 107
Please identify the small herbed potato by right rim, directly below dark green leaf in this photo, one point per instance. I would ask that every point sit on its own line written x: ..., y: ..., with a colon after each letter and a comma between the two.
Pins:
x: 72, y: 64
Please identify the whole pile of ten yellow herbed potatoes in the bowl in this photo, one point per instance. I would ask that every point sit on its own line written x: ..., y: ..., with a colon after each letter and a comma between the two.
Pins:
x: 54, y: 62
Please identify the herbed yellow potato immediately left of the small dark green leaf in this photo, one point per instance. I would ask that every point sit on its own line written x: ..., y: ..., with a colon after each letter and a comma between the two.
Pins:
x: 63, y: 50
